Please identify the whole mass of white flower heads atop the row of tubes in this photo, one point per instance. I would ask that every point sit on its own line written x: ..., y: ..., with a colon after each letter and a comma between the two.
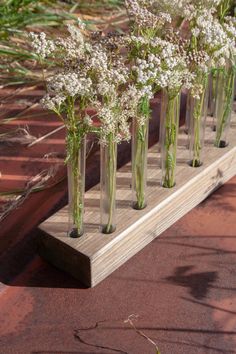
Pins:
x: 94, y: 68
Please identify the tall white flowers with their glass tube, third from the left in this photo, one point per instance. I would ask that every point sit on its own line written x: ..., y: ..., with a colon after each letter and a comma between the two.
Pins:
x: 143, y: 73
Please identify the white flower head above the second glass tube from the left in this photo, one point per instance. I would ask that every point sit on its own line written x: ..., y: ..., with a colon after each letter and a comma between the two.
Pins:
x: 113, y: 110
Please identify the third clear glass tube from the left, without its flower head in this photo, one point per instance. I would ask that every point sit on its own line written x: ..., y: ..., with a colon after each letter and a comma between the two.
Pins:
x: 139, y: 163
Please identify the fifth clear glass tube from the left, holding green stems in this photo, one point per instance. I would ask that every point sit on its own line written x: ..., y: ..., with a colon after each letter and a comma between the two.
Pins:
x: 198, y: 114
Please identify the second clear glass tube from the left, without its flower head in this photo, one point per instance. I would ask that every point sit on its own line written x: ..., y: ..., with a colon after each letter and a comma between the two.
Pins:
x: 108, y: 185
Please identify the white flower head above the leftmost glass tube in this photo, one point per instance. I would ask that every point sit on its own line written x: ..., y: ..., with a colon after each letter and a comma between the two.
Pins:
x: 73, y: 80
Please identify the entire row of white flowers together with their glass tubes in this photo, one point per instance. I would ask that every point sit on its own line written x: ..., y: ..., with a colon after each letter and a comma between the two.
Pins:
x: 172, y: 45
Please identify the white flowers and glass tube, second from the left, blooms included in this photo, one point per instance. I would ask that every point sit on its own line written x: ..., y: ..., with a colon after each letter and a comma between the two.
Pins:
x: 109, y: 74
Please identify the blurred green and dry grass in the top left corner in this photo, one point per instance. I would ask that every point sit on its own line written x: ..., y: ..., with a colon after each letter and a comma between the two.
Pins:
x: 17, y: 64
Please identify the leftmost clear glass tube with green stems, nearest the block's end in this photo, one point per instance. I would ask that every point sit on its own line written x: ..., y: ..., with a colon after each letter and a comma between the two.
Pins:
x: 76, y: 186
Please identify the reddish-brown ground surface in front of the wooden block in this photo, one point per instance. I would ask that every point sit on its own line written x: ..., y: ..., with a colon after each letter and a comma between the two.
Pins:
x: 182, y: 286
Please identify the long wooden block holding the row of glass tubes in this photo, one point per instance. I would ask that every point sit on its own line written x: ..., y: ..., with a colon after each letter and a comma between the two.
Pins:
x: 94, y: 256
